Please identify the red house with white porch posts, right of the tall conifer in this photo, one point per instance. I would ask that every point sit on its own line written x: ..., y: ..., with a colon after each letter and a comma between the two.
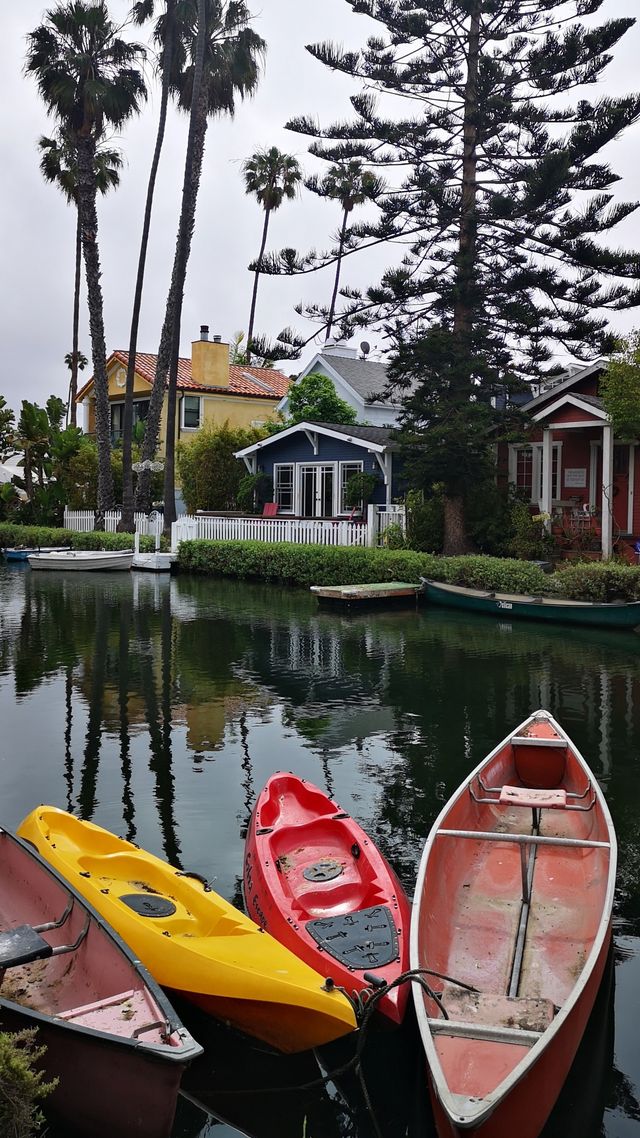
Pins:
x: 575, y: 469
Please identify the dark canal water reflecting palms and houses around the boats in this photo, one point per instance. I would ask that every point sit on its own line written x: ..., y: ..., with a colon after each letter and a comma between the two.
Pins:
x: 159, y: 708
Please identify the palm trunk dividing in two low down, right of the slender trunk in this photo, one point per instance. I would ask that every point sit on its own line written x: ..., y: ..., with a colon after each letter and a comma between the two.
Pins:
x: 170, y: 340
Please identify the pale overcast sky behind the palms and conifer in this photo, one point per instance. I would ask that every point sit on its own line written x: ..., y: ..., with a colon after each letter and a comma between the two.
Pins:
x: 39, y: 228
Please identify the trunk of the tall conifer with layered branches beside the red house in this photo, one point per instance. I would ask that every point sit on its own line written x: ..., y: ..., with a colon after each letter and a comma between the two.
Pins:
x: 456, y: 540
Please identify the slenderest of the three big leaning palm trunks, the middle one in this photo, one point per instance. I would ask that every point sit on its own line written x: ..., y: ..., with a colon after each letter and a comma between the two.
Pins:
x: 127, y: 523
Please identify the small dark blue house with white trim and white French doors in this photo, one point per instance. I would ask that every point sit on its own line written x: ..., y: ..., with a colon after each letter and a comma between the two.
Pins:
x: 311, y: 464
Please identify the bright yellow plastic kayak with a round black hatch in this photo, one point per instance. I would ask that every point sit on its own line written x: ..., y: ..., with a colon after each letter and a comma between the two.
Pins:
x: 191, y: 939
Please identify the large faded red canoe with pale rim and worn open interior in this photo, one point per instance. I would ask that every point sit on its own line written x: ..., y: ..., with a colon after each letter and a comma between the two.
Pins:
x: 513, y: 925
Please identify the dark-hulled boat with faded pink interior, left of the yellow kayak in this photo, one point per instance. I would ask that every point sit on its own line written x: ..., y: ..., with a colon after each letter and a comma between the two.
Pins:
x: 113, y: 1041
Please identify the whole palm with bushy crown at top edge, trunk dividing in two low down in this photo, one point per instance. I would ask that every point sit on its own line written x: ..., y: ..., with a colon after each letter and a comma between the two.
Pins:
x: 216, y: 62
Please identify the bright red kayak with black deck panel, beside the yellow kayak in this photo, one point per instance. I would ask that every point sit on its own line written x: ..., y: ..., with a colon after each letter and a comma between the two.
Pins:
x: 317, y: 883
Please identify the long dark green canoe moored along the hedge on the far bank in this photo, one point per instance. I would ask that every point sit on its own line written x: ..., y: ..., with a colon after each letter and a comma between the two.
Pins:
x: 508, y: 606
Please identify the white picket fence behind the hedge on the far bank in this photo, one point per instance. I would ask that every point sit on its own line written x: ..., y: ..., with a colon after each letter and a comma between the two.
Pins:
x: 226, y: 529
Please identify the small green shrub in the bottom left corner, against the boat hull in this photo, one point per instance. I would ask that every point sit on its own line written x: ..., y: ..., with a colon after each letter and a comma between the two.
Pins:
x: 22, y: 1086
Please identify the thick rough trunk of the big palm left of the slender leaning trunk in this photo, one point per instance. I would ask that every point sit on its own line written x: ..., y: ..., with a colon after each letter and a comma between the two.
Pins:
x: 87, y: 194
